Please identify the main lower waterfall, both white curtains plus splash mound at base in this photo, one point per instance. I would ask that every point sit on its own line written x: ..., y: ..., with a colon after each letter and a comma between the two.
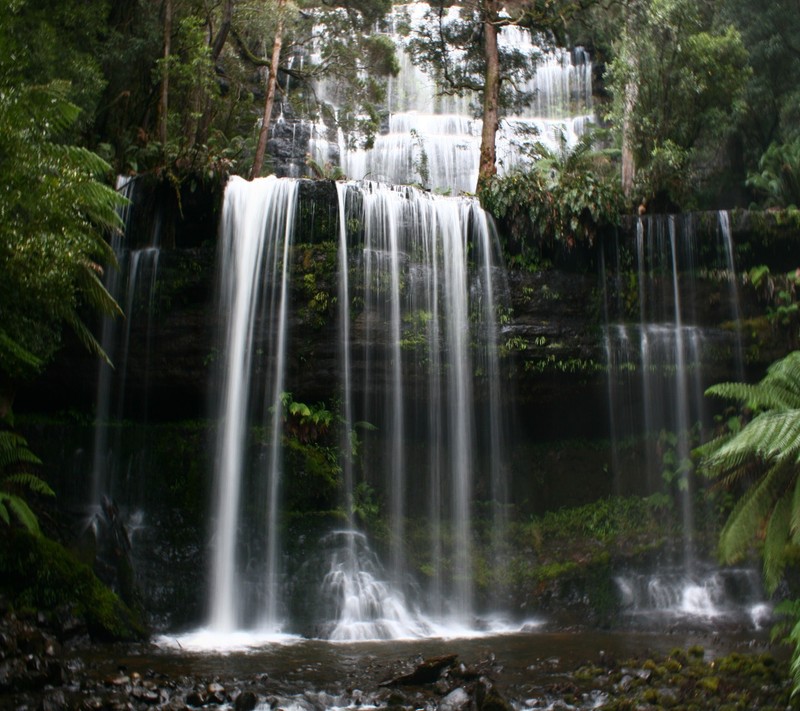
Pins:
x: 415, y: 332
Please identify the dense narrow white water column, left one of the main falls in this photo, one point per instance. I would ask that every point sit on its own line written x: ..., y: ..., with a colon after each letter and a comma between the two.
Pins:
x: 257, y: 228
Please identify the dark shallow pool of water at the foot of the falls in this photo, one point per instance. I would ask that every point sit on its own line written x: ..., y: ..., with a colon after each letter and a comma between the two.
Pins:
x: 521, y: 664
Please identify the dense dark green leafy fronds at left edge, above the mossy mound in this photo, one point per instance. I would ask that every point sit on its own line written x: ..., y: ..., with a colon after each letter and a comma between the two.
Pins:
x: 54, y: 215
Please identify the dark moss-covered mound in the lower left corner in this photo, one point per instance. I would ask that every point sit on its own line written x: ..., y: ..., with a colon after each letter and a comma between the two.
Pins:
x: 40, y: 575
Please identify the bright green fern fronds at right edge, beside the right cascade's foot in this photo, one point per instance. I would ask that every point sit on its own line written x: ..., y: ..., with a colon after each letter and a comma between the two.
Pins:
x: 763, y: 456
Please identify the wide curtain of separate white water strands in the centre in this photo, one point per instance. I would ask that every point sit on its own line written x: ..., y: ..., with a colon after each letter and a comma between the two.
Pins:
x: 418, y: 303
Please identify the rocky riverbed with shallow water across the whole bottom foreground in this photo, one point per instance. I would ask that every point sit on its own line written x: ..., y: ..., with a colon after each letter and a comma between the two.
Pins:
x: 48, y: 664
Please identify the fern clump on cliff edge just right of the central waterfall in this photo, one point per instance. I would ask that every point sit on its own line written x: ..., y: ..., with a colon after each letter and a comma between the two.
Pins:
x: 563, y: 198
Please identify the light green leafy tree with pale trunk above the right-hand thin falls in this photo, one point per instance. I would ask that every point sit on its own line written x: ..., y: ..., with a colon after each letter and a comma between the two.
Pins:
x: 677, y: 83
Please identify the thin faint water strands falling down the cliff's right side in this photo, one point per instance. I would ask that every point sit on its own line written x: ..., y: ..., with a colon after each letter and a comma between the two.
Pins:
x: 656, y: 362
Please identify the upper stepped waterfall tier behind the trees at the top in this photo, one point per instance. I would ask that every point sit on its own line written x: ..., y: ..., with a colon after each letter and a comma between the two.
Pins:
x: 432, y: 138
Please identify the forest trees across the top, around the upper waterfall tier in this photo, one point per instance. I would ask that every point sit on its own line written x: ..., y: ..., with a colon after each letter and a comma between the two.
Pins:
x: 694, y: 94
